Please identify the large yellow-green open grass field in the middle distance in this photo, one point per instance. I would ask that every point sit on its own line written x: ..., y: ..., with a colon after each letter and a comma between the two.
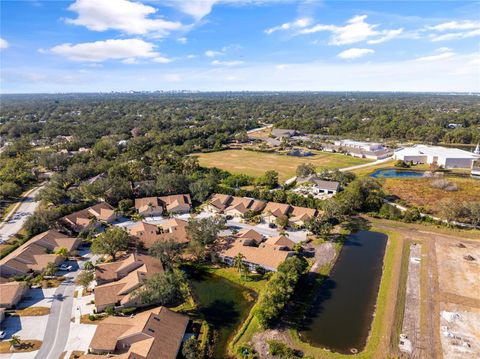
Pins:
x: 256, y: 163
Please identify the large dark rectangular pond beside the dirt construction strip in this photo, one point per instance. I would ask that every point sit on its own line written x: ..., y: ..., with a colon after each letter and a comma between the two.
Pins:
x: 342, y: 314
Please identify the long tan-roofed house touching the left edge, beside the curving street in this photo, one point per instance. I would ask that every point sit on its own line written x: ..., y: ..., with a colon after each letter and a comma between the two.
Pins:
x: 34, y: 255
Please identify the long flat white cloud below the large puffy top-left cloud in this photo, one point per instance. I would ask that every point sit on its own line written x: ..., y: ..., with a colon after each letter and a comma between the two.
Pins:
x: 127, y: 50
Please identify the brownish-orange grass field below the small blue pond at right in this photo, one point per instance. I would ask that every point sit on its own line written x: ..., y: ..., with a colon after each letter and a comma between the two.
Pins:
x: 419, y: 192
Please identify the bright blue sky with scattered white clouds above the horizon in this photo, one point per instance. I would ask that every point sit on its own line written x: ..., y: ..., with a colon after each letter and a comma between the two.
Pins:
x: 121, y: 45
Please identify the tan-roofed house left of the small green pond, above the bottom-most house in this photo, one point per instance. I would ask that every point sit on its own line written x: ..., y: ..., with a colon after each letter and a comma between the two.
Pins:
x: 121, y: 280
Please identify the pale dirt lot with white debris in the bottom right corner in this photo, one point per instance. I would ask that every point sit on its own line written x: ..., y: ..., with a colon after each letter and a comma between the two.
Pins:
x: 460, y: 331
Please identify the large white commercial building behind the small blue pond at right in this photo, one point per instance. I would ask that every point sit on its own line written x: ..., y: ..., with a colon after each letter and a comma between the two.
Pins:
x: 444, y: 157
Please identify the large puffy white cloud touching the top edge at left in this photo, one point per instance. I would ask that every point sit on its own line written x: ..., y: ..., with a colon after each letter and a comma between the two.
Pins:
x: 122, y: 15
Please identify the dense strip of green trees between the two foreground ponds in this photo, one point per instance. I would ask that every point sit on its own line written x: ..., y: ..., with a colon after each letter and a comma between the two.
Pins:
x: 279, y: 289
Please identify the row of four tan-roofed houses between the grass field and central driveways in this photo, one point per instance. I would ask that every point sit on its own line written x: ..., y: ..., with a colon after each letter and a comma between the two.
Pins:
x: 270, y: 212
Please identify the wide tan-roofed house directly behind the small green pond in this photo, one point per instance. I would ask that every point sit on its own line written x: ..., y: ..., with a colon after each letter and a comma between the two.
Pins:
x: 267, y: 257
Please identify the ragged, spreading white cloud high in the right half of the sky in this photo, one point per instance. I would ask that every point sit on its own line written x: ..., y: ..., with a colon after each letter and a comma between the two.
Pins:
x: 356, y: 30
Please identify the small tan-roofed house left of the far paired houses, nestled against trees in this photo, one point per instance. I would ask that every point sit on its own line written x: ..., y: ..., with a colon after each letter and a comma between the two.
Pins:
x: 90, y: 217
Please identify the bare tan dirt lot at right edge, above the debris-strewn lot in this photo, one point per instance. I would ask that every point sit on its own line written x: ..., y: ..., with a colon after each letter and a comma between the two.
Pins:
x: 457, y: 275
